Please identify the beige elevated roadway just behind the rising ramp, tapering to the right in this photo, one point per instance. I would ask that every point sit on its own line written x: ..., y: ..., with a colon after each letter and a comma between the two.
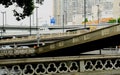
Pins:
x: 42, y: 38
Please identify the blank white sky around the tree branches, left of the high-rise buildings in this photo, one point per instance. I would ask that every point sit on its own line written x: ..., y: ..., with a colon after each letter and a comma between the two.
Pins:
x: 44, y: 13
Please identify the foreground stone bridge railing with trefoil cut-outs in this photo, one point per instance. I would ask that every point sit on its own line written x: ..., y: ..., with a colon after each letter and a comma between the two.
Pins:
x: 78, y: 65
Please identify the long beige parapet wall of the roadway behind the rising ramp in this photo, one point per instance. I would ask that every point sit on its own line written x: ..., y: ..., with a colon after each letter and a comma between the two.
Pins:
x: 42, y: 37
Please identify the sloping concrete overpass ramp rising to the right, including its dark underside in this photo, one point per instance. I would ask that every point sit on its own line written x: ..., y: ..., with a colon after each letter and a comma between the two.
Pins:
x: 75, y: 45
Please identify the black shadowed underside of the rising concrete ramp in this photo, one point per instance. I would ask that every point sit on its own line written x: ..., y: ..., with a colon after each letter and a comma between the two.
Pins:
x: 85, y: 47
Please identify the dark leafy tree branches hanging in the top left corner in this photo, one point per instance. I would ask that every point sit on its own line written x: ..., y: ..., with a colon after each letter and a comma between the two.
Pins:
x: 27, y: 6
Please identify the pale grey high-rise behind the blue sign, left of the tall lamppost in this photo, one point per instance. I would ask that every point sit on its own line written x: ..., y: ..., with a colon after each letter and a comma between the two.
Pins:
x: 66, y: 10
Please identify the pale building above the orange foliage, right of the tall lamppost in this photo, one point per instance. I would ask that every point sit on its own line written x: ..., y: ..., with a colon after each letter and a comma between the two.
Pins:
x: 102, y: 9
